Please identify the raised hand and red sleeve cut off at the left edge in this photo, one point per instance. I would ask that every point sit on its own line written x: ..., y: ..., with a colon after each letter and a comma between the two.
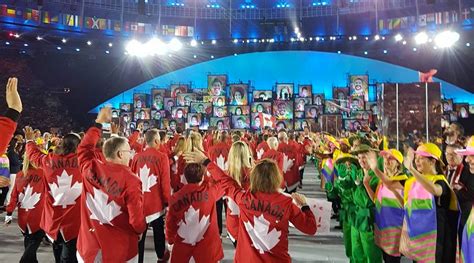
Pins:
x: 8, y: 121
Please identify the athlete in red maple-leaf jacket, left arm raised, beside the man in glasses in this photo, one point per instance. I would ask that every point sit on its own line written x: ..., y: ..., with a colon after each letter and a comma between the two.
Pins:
x: 61, y: 219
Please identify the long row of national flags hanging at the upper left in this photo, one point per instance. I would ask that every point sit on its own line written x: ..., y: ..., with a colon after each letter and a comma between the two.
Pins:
x: 71, y: 20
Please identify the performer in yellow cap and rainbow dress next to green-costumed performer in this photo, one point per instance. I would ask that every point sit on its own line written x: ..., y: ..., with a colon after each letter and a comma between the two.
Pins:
x: 388, y: 199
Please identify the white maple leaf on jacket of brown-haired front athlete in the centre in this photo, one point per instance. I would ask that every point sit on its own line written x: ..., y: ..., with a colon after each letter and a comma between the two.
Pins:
x: 262, y: 239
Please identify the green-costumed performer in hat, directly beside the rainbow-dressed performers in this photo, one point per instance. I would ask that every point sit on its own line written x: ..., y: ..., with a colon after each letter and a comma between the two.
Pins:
x: 362, y: 231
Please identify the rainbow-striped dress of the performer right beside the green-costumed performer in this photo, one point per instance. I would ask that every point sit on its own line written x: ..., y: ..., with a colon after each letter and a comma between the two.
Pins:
x: 388, y: 218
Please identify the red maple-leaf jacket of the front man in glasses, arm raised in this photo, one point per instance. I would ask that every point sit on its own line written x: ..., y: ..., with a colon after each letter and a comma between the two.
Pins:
x: 112, y: 211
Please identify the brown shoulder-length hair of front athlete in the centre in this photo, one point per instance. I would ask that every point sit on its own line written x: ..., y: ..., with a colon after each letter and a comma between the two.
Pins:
x: 265, y: 177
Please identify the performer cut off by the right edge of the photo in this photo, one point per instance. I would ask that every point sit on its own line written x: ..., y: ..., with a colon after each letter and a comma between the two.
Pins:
x: 467, y: 245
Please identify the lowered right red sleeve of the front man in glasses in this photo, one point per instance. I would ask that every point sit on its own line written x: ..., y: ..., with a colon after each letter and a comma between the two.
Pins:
x: 134, y: 200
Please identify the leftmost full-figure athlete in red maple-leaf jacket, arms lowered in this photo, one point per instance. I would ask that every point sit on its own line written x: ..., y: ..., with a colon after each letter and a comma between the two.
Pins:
x: 27, y: 195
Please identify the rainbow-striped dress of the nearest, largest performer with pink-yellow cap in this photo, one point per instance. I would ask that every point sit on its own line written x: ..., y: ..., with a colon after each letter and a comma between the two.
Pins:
x: 419, y: 232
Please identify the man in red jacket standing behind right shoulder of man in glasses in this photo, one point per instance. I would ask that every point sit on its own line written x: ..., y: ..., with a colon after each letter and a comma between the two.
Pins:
x: 152, y: 167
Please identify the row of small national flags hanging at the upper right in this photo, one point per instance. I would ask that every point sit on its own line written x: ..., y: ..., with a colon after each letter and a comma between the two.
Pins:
x: 438, y: 18
